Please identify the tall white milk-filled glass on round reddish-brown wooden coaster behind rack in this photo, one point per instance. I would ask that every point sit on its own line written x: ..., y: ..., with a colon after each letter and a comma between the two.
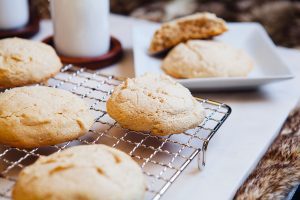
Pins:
x: 81, y: 27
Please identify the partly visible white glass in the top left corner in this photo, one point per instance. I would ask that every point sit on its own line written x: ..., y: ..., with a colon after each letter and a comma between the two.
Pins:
x: 13, y: 13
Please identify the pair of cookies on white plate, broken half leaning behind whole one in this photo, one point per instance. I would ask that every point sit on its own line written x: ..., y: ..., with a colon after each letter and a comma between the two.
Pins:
x: 193, y: 53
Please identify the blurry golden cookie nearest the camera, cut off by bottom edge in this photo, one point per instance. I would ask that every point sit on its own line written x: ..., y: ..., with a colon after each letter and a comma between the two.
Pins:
x: 82, y: 172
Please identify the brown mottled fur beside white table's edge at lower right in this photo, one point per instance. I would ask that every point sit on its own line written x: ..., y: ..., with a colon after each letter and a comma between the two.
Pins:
x: 279, y: 170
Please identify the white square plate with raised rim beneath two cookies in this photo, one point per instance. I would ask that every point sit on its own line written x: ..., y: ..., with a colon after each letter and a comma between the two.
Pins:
x: 251, y: 37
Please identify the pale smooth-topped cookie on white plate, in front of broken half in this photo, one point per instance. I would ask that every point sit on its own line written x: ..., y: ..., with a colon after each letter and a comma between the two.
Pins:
x: 201, y: 58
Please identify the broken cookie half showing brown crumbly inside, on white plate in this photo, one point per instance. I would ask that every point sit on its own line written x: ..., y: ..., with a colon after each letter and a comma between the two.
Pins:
x: 198, y: 26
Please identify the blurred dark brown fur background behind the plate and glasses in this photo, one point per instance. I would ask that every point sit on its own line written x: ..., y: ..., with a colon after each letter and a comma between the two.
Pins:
x: 281, y: 18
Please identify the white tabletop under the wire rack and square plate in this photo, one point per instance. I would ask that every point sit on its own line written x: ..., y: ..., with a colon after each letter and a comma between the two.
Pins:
x: 255, y: 121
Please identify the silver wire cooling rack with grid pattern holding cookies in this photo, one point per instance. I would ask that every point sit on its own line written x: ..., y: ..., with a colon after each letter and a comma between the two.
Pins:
x: 161, y: 158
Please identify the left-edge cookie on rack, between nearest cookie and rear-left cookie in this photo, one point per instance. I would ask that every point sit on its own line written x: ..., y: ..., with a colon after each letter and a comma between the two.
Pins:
x: 34, y: 116
